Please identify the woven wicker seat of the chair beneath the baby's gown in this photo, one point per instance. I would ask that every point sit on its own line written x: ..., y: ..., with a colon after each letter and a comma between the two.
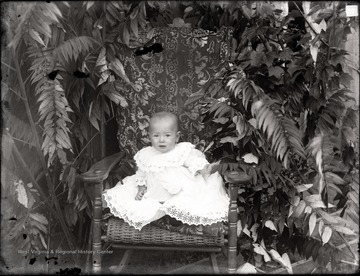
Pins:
x: 119, y: 231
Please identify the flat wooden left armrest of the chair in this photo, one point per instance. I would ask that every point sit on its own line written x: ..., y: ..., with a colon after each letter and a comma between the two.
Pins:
x: 100, y: 170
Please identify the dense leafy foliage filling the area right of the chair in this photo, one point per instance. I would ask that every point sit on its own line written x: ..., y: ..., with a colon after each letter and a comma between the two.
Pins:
x: 284, y: 103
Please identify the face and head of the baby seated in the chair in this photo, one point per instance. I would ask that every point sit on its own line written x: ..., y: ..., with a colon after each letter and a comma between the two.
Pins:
x: 163, y: 134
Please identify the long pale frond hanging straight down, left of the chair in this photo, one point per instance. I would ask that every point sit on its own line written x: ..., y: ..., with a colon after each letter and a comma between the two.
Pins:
x: 53, y: 111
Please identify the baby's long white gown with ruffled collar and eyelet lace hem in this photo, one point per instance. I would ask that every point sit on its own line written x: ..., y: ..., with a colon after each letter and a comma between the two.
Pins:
x: 172, y: 189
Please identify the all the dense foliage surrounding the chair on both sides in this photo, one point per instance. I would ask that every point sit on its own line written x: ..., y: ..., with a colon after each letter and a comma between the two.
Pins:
x: 281, y: 110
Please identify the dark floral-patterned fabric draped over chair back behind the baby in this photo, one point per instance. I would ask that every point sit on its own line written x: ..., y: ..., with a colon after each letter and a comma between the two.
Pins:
x: 163, y: 82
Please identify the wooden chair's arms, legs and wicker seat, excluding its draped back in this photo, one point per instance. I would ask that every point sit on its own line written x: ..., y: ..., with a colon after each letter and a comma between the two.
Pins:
x: 120, y: 235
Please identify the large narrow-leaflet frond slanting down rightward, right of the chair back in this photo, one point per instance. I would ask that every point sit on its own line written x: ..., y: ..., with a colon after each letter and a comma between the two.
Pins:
x: 280, y: 130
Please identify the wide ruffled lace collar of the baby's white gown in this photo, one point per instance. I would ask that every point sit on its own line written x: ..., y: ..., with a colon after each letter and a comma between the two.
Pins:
x: 149, y: 159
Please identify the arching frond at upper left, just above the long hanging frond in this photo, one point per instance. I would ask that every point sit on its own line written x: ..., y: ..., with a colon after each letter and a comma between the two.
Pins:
x: 72, y: 48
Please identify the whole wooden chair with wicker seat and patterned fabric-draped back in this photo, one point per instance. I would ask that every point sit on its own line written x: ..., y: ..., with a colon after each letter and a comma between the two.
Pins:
x: 189, y: 58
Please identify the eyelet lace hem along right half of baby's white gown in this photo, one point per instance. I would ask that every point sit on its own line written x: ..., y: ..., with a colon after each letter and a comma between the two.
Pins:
x: 187, y: 217
